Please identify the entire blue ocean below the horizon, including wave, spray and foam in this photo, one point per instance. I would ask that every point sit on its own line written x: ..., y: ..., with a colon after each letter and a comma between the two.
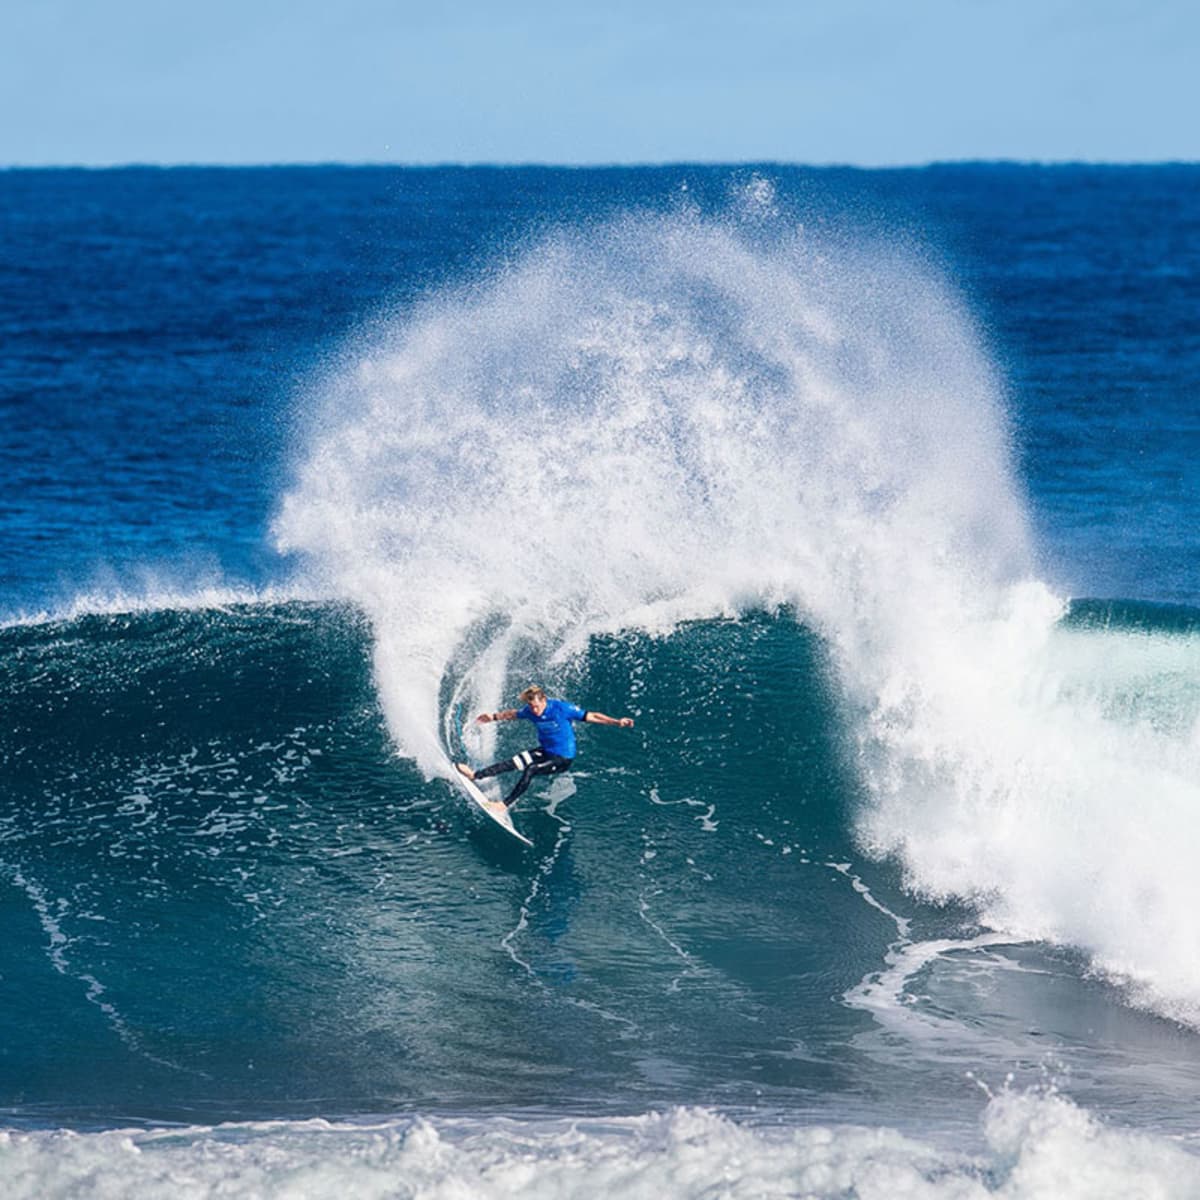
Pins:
x: 871, y: 495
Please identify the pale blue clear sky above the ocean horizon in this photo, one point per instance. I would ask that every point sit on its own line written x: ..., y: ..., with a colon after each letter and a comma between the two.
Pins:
x: 872, y: 82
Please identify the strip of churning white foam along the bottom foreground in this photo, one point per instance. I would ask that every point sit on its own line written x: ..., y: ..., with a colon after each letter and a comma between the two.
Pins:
x: 1034, y: 1148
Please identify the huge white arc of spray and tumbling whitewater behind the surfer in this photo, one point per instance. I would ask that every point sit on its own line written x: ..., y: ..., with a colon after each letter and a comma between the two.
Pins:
x: 677, y: 418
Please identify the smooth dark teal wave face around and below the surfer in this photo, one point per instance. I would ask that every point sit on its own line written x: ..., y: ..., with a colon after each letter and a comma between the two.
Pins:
x: 226, y: 897
